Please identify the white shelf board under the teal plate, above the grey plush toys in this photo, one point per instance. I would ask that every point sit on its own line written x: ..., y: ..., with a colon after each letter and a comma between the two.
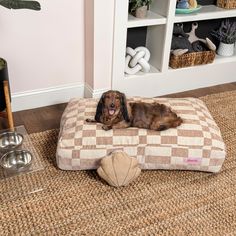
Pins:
x: 205, y: 13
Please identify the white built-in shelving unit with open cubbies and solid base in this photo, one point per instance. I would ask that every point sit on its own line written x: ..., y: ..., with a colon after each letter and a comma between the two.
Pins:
x: 162, y: 79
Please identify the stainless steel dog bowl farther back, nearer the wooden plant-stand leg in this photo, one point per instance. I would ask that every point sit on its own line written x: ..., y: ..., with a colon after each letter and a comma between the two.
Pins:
x: 10, y: 140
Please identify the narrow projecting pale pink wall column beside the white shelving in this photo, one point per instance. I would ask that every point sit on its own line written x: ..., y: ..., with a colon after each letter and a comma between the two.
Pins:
x: 99, y: 21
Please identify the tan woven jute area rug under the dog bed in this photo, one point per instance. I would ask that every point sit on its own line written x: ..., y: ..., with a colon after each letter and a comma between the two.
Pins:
x: 55, y: 202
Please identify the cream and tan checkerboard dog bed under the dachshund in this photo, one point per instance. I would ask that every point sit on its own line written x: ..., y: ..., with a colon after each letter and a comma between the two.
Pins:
x: 195, y: 145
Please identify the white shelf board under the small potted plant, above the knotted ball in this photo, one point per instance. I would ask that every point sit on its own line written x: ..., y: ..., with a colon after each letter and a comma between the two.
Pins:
x: 151, y: 19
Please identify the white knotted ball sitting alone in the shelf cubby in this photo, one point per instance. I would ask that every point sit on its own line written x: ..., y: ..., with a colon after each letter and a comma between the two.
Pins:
x: 137, y: 60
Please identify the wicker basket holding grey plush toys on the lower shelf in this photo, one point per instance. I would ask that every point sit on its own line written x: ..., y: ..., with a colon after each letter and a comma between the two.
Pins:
x: 191, y: 59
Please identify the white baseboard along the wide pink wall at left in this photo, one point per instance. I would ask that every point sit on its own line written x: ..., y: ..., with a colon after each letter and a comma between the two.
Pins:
x: 45, y: 97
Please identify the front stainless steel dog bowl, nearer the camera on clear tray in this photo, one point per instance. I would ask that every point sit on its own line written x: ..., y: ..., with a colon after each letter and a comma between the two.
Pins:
x: 16, y: 160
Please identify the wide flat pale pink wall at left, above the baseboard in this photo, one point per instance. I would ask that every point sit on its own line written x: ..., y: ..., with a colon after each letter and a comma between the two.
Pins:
x: 43, y: 48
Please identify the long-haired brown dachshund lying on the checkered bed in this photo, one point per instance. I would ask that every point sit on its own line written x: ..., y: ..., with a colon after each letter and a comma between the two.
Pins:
x: 114, y: 112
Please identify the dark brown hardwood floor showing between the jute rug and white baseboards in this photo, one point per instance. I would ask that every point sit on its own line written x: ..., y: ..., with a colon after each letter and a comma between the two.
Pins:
x: 45, y: 118
